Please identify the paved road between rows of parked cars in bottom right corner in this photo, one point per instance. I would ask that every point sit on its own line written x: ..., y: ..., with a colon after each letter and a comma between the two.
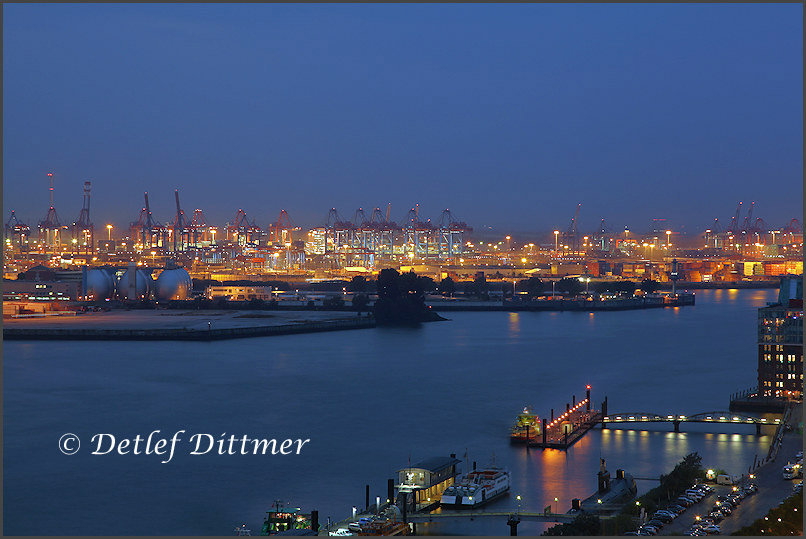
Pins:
x: 772, y: 489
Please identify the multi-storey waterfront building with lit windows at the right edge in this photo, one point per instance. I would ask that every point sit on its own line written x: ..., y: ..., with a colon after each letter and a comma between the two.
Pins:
x: 780, y: 343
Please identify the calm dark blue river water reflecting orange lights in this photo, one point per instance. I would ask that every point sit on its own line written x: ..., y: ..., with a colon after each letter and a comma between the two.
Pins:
x: 370, y: 400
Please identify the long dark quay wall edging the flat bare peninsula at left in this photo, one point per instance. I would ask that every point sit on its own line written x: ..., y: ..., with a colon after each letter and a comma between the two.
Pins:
x: 184, y: 334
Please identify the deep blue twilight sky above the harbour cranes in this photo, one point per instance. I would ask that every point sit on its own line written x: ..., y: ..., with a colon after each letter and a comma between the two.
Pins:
x: 509, y: 115
